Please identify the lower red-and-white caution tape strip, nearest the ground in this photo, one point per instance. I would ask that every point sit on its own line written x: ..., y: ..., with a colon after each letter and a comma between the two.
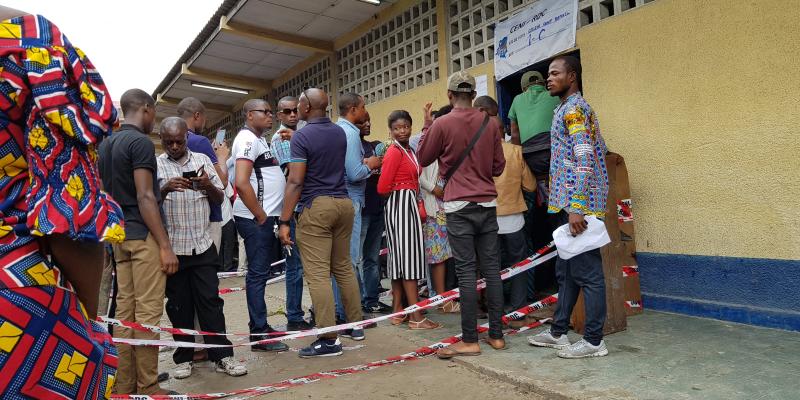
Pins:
x: 318, y: 376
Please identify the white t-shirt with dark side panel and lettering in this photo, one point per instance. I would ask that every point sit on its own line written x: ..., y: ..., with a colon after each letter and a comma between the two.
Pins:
x: 266, y: 179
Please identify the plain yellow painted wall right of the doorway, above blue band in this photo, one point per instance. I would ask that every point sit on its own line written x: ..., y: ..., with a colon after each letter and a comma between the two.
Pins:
x: 701, y: 99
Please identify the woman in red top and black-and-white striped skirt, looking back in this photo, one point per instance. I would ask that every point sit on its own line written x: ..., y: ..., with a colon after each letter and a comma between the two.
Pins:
x: 400, y: 181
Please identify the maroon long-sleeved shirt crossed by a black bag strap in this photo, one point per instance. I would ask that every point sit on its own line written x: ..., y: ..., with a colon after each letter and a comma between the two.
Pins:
x: 448, y: 137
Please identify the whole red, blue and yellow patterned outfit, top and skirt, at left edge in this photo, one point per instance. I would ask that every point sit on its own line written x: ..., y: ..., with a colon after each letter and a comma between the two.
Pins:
x: 54, y: 110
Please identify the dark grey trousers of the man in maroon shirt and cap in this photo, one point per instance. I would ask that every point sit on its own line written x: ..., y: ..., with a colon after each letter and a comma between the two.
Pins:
x: 472, y: 232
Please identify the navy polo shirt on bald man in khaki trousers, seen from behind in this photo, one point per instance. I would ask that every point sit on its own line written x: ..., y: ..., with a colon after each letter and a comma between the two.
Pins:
x: 322, y: 145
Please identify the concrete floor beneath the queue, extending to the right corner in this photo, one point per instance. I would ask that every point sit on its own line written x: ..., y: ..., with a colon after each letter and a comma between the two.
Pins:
x: 660, y: 356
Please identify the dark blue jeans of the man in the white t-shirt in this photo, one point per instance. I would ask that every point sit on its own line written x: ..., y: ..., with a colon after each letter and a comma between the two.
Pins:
x: 258, y: 240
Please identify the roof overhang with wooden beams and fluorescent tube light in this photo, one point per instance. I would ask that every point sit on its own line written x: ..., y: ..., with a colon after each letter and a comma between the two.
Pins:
x: 248, y: 45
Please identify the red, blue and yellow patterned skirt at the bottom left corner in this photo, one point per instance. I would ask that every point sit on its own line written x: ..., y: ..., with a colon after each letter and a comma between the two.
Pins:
x: 49, y: 350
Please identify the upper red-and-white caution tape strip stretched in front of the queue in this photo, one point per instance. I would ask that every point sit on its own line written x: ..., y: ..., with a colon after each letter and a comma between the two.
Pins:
x: 518, y: 268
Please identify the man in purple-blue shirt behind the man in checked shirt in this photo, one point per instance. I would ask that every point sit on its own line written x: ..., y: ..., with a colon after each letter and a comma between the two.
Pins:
x: 194, y: 113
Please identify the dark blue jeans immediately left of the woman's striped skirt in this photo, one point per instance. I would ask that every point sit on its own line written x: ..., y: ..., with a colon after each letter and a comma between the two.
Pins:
x: 372, y: 226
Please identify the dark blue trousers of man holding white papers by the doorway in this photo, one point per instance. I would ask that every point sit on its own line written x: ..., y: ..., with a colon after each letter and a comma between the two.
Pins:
x: 584, y: 271
